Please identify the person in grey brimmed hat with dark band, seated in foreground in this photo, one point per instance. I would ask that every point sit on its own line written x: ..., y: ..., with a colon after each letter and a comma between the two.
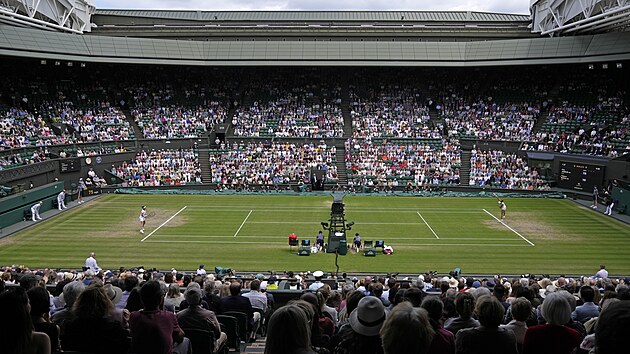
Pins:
x: 365, y: 324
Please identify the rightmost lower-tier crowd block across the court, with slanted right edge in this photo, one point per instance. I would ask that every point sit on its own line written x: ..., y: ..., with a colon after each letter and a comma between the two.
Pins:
x: 498, y: 169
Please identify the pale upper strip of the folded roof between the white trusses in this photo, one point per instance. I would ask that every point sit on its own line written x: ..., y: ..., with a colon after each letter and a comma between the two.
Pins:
x: 396, y: 16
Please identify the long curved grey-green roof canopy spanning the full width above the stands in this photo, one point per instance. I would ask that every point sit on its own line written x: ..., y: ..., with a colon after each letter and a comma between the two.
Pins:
x: 25, y: 42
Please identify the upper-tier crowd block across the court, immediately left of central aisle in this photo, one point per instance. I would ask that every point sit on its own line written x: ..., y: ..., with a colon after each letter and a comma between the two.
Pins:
x: 300, y: 111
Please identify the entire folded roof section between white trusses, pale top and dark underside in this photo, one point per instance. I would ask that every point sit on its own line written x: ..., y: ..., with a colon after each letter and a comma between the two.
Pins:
x: 447, y: 25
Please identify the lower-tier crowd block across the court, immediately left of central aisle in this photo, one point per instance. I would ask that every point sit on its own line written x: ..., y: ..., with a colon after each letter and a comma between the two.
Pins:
x: 271, y: 163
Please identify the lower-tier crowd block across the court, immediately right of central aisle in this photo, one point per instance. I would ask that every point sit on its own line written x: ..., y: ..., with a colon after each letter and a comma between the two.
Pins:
x: 384, y: 163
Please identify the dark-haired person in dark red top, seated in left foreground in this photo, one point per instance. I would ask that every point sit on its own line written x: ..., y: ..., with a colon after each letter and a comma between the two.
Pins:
x: 154, y: 331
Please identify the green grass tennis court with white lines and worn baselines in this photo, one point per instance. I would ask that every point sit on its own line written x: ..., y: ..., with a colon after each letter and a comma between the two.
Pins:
x: 249, y: 233
